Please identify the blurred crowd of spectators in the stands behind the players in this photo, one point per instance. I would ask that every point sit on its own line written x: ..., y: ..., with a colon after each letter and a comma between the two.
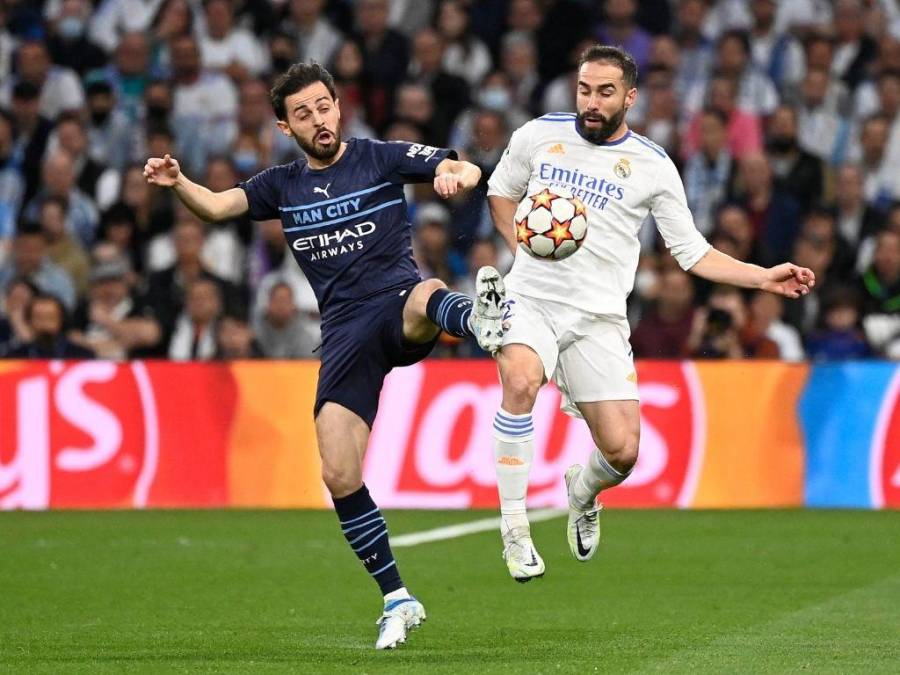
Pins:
x: 782, y: 117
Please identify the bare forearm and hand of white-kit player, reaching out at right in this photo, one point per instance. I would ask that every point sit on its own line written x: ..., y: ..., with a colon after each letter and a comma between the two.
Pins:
x: 786, y: 279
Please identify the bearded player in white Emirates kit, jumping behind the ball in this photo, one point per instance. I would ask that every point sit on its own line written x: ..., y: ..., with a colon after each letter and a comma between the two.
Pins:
x: 566, y: 319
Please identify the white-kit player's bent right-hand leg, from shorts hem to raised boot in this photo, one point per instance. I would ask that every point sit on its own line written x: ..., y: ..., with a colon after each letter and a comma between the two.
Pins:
x: 615, y: 427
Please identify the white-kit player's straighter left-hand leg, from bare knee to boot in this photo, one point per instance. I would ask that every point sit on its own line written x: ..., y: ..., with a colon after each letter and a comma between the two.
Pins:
x: 521, y: 374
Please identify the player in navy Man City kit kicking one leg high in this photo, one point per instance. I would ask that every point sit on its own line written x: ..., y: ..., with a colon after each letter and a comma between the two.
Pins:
x: 344, y: 218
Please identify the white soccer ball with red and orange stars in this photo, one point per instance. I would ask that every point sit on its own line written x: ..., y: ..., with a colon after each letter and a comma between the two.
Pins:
x: 551, y: 226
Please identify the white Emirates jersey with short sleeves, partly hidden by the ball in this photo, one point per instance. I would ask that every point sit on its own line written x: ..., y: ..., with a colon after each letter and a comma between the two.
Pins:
x: 619, y: 183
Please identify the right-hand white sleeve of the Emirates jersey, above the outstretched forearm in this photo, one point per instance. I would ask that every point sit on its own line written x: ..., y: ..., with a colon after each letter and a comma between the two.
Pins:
x: 674, y: 220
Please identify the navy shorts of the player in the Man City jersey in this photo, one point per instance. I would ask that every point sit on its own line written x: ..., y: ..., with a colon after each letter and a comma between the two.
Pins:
x: 360, y: 349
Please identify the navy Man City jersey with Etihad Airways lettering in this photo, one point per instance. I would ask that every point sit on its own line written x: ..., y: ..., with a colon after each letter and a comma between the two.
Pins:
x: 346, y: 224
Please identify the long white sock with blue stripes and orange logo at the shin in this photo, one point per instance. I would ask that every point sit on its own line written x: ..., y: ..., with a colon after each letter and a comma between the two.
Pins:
x: 513, y: 451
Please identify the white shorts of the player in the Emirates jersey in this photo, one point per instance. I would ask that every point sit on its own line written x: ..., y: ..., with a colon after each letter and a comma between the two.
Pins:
x: 588, y: 356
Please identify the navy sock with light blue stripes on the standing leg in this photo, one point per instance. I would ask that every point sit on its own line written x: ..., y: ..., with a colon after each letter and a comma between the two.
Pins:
x: 366, y: 532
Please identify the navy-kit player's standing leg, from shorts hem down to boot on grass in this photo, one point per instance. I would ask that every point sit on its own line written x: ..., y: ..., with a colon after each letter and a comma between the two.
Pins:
x: 343, y: 436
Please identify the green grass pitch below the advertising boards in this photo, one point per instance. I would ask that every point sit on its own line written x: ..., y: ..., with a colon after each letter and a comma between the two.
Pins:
x: 271, y: 592
